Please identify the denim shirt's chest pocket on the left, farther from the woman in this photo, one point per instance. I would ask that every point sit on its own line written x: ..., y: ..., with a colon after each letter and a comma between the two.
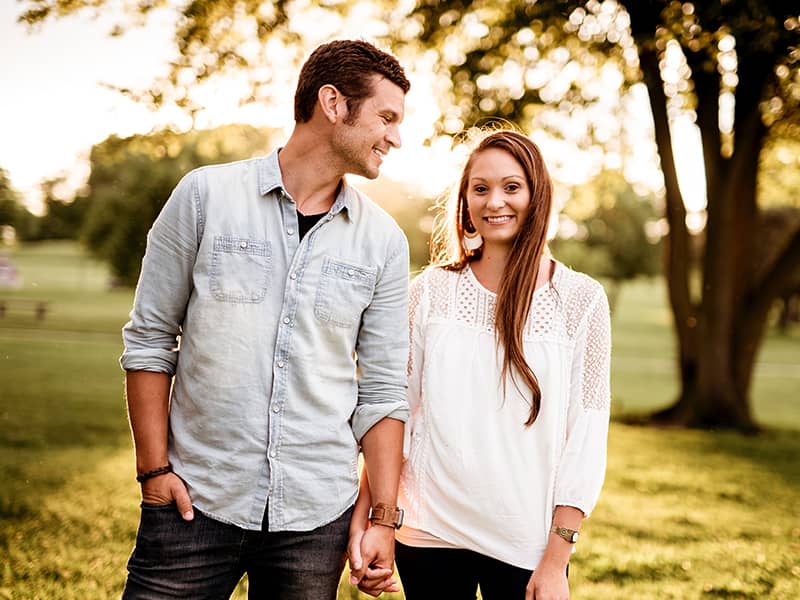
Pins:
x: 240, y: 269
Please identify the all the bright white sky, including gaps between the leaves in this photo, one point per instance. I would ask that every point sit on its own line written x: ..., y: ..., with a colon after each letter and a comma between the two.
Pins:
x: 54, y: 106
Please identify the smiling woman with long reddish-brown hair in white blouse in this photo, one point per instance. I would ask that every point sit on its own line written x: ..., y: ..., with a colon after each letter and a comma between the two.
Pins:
x: 509, y: 393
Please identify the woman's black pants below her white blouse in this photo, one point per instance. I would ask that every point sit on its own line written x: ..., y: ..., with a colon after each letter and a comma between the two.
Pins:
x: 455, y: 574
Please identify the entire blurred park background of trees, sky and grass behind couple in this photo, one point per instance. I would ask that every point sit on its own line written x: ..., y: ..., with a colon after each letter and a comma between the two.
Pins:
x: 671, y: 130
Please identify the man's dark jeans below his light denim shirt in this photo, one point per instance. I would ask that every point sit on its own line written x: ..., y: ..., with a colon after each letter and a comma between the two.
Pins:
x: 204, y: 559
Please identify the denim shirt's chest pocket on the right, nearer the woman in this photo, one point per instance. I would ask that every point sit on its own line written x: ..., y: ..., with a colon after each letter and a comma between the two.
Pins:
x: 345, y: 289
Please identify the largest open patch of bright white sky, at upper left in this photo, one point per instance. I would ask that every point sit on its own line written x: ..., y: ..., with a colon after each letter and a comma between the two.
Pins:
x: 53, y: 107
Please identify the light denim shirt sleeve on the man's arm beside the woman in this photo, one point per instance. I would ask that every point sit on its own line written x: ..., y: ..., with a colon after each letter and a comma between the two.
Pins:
x: 382, y: 346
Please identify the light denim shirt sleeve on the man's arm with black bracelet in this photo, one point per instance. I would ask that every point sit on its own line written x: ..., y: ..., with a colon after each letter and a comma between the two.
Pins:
x: 151, y: 336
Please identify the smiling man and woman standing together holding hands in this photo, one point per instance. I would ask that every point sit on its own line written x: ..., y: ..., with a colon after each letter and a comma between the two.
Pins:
x: 274, y: 336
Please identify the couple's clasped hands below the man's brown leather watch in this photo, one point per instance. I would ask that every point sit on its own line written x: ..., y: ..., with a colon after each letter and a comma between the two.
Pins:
x: 371, y: 555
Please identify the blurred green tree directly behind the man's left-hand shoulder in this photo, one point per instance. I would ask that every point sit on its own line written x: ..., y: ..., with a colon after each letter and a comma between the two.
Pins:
x: 132, y: 178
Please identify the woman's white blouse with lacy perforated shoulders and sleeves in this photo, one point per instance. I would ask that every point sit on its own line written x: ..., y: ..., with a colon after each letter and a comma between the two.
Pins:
x: 474, y: 475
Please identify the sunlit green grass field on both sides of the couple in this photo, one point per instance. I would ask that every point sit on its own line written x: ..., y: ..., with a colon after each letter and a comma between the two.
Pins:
x: 684, y: 514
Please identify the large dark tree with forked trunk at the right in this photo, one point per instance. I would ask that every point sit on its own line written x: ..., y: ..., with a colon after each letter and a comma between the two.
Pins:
x: 719, y: 334
